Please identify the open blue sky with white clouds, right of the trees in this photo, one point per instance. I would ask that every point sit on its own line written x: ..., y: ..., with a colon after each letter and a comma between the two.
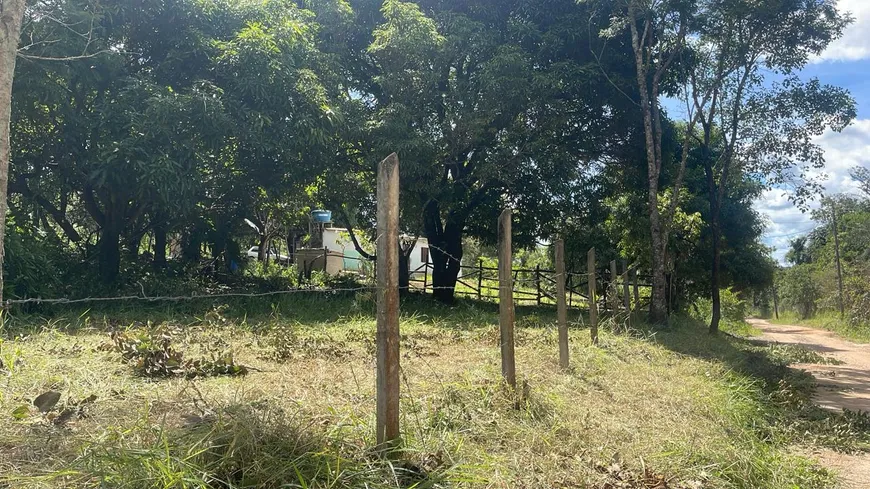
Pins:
x: 845, y: 63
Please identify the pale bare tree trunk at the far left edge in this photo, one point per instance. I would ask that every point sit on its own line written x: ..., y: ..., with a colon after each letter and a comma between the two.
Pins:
x: 11, y: 15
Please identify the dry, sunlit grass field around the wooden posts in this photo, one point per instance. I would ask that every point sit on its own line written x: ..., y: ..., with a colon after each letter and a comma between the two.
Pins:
x: 672, y: 408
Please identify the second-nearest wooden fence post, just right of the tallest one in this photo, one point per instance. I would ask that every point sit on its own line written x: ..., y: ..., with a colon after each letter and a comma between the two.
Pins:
x: 506, y: 299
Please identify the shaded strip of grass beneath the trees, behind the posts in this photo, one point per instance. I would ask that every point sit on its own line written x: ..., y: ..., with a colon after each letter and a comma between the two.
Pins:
x: 315, y: 307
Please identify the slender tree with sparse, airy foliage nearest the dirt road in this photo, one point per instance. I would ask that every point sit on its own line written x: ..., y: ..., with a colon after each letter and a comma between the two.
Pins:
x: 749, y: 126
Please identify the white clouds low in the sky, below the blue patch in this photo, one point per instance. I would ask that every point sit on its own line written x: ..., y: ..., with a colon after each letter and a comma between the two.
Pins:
x: 843, y: 151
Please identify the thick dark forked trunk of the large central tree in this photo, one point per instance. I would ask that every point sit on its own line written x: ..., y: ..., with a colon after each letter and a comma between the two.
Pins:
x: 445, y: 248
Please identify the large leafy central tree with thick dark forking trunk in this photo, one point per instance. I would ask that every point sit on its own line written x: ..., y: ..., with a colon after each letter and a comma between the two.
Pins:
x: 489, y: 104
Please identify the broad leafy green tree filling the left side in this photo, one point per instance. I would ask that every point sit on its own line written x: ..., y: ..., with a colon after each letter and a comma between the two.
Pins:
x: 216, y: 112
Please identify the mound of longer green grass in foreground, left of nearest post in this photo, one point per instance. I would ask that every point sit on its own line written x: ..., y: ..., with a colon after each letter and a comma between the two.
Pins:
x: 242, y: 446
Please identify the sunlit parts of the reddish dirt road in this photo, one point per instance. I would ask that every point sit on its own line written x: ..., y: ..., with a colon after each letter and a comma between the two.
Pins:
x: 845, y: 386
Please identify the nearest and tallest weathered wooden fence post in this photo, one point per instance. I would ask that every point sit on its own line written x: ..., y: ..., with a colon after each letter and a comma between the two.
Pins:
x: 387, y: 422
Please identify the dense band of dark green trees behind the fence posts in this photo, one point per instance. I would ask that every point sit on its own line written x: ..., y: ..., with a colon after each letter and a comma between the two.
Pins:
x: 204, y: 127
